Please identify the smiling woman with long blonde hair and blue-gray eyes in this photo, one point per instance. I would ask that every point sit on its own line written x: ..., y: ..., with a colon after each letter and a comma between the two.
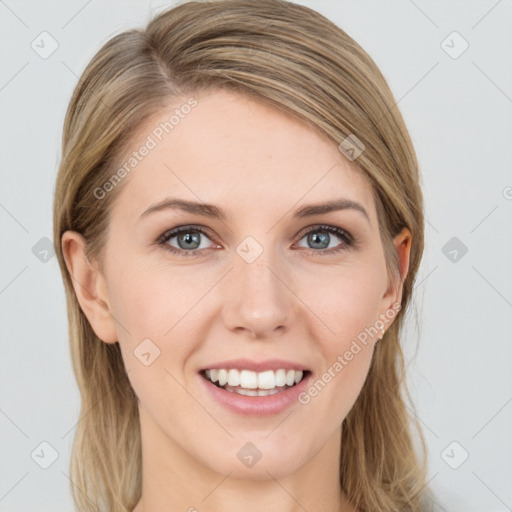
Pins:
x: 240, y: 223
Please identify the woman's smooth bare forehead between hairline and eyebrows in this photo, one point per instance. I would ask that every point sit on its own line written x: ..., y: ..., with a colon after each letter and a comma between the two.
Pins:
x: 228, y: 149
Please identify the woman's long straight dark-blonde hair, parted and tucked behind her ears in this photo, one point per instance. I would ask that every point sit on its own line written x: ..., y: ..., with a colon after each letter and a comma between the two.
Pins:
x: 296, y: 60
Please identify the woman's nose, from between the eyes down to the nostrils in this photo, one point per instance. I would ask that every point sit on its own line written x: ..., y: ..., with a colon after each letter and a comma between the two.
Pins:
x: 257, y: 301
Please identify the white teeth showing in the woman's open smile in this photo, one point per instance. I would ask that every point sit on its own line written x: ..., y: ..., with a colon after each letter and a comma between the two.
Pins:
x: 255, y: 384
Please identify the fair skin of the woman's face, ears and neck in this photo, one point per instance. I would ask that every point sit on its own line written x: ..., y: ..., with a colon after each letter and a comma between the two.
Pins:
x: 291, y: 303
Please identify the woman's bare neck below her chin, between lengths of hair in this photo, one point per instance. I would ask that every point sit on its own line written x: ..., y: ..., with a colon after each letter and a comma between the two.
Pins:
x: 173, y: 480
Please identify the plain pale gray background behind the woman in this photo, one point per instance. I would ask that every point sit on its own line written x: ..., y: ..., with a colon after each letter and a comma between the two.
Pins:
x: 458, y: 110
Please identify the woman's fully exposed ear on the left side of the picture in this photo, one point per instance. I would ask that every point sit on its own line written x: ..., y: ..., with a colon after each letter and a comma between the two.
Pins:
x: 89, y: 285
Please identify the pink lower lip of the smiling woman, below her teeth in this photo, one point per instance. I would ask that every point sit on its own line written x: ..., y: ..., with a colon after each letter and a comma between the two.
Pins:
x: 256, y: 405
